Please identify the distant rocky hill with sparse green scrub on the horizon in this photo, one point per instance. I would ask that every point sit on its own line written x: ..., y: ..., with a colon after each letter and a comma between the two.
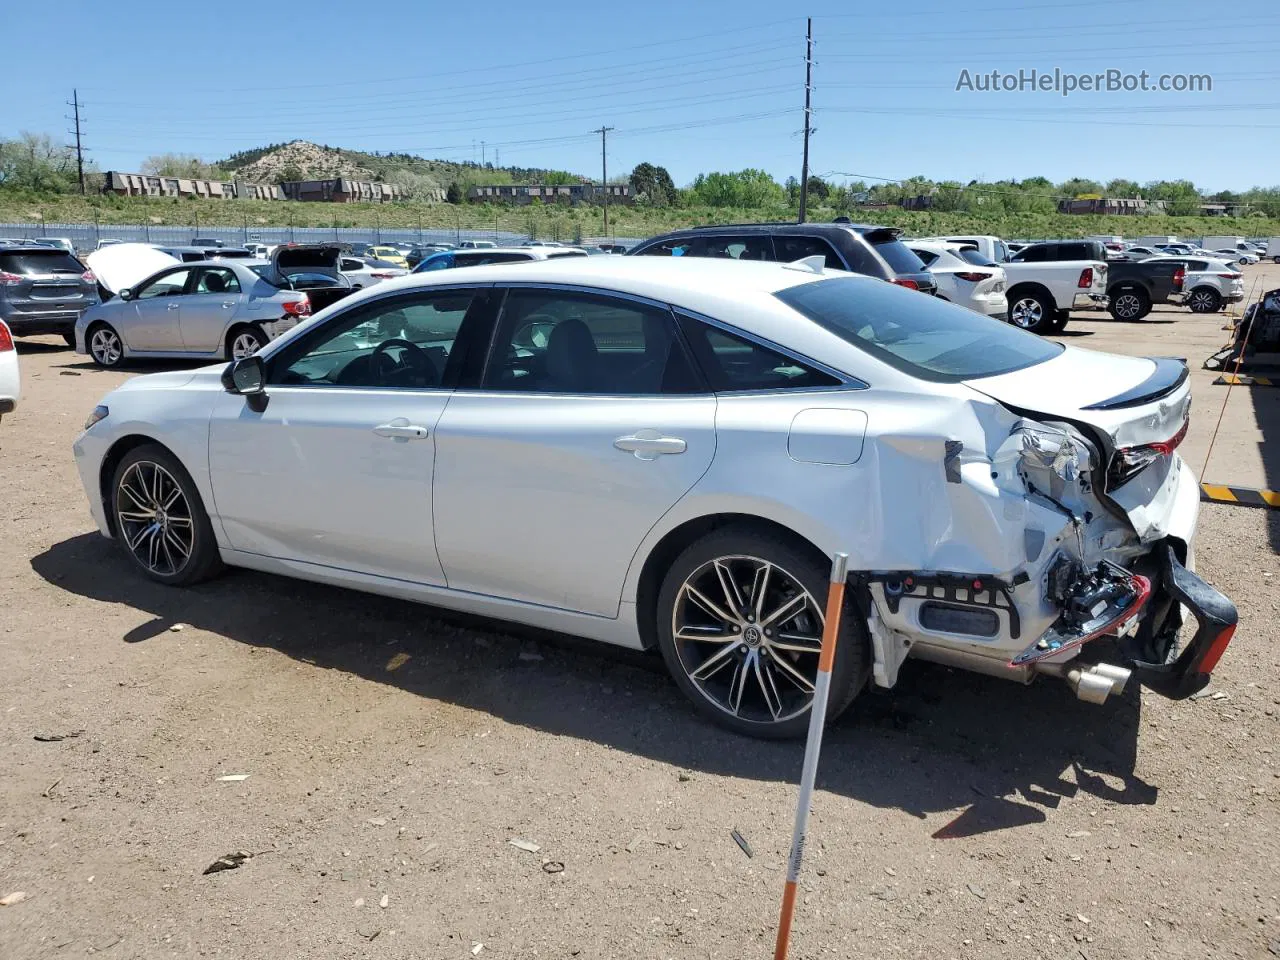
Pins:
x: 301, y: 159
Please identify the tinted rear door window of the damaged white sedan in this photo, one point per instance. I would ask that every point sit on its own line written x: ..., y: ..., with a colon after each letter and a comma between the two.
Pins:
x: 552, y: 342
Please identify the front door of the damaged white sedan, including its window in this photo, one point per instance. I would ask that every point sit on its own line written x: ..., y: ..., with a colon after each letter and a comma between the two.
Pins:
x: 337, y: 470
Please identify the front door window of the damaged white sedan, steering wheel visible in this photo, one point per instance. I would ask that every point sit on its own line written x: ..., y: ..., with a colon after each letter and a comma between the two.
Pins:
x: 405, y: 342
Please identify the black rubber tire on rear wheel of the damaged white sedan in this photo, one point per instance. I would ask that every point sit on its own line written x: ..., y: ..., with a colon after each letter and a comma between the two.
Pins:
x: 742, y: 546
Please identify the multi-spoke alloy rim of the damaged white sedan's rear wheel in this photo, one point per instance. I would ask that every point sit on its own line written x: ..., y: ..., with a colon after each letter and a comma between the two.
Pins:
x: 748, y: 636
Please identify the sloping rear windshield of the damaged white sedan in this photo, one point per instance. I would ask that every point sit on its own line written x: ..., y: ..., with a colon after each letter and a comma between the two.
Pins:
x: 918, y: 335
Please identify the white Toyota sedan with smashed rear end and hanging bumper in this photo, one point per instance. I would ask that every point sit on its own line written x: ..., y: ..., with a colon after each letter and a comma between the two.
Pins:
x: 666, y: 454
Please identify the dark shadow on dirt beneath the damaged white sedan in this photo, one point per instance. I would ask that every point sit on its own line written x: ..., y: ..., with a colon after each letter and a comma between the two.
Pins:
x: 943, y: 740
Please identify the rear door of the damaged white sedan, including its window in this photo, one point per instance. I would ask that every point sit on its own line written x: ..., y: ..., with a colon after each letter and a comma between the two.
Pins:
x: 588, y: 427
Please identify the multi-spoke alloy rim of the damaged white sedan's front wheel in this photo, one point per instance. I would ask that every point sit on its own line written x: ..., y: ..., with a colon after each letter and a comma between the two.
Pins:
x: 156, y: 518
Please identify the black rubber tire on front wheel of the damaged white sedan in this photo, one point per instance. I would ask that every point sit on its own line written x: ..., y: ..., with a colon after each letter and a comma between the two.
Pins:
x: 203, y: 560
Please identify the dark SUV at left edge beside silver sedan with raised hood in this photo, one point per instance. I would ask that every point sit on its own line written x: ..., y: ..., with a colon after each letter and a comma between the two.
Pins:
x: 44, y: 290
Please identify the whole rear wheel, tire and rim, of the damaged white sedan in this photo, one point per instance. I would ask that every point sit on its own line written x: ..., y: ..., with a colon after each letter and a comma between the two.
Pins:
x: 740, y: 620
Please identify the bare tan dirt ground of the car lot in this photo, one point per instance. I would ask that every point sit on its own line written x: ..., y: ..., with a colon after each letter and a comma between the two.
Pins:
x: 392, y: 753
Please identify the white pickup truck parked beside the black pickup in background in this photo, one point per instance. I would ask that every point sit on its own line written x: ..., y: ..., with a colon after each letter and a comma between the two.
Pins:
x: 1046, y: 282
